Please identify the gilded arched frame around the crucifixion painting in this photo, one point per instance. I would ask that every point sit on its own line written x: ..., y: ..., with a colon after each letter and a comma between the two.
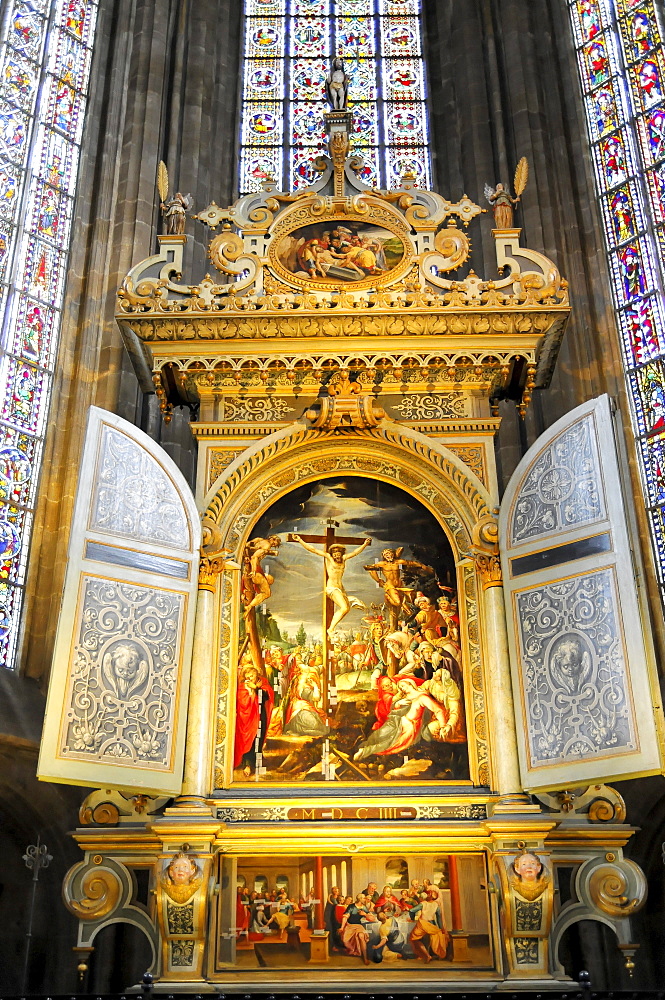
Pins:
x: 394, y: 454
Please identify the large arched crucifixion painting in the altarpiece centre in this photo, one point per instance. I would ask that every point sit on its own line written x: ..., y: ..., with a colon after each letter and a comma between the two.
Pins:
x: 349, y: 661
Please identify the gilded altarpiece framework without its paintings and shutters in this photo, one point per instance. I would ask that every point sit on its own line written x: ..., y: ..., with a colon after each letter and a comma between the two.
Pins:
x: 258, y: 348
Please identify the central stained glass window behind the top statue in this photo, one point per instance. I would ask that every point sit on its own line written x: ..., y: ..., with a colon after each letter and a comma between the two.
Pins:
x: 288, y: 47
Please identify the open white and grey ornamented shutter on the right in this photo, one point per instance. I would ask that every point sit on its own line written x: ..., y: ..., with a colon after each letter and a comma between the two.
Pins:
x: 581, y: 664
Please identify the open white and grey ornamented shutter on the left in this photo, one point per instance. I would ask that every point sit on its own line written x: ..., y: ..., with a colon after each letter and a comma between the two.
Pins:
x: 117, y: 699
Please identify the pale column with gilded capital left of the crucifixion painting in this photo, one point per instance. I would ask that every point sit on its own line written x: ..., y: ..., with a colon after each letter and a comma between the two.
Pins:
x: 199, y: 744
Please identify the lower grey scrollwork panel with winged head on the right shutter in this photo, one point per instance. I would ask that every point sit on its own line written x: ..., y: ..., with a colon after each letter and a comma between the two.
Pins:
x: 576, y: 685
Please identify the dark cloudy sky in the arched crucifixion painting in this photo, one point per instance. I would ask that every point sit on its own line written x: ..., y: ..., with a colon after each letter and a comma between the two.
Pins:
x: 363, y: 508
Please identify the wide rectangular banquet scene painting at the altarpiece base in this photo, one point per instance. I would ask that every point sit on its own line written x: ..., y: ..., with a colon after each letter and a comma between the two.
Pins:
x: 404, y: 912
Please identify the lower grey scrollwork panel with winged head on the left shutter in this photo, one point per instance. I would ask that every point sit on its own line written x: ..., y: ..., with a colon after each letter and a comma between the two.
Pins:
x: 124, y: 675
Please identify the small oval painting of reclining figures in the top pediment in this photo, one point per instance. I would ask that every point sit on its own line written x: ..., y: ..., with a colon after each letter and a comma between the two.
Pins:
x: 340, y: 251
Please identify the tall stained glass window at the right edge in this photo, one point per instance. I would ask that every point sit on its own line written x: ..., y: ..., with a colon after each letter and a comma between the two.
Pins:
x: 622, y: 69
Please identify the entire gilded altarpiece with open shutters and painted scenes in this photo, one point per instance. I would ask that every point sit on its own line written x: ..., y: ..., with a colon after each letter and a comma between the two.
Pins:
x: 362, y: 727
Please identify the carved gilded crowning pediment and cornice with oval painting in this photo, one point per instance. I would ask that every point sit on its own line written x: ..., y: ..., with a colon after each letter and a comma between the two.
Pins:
x: 339, y: 261
